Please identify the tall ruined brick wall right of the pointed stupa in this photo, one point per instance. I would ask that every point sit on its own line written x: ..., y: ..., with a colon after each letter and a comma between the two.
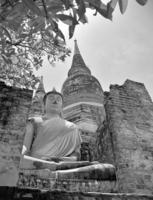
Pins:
x: 130, y: 120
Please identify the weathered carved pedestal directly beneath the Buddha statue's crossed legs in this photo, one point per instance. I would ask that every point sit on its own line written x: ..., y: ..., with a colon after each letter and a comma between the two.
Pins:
x: 40, y: 179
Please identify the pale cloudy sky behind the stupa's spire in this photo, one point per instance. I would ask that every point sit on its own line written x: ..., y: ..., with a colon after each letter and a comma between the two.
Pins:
x: 113, y: 50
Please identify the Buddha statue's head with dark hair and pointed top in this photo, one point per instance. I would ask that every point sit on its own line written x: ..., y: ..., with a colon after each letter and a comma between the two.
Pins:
x: 53, y: 102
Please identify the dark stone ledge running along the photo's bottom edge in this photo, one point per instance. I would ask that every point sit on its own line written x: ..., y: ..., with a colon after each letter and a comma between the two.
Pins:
x: 15, y: 193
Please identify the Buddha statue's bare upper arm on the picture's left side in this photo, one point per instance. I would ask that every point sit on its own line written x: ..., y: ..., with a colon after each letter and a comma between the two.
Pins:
x: 28, y: 138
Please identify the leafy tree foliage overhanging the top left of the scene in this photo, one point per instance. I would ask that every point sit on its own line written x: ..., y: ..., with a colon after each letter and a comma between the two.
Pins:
x: 29, y: 29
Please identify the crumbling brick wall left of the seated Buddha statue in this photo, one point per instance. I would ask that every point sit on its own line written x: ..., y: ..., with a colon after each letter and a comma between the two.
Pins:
x: 14, y: 107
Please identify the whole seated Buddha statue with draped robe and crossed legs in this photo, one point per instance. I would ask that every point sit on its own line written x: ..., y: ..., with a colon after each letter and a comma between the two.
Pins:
x: 53, y: 143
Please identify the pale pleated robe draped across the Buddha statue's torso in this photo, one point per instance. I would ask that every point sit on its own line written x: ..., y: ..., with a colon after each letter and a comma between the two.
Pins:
x: 55, y: 137
